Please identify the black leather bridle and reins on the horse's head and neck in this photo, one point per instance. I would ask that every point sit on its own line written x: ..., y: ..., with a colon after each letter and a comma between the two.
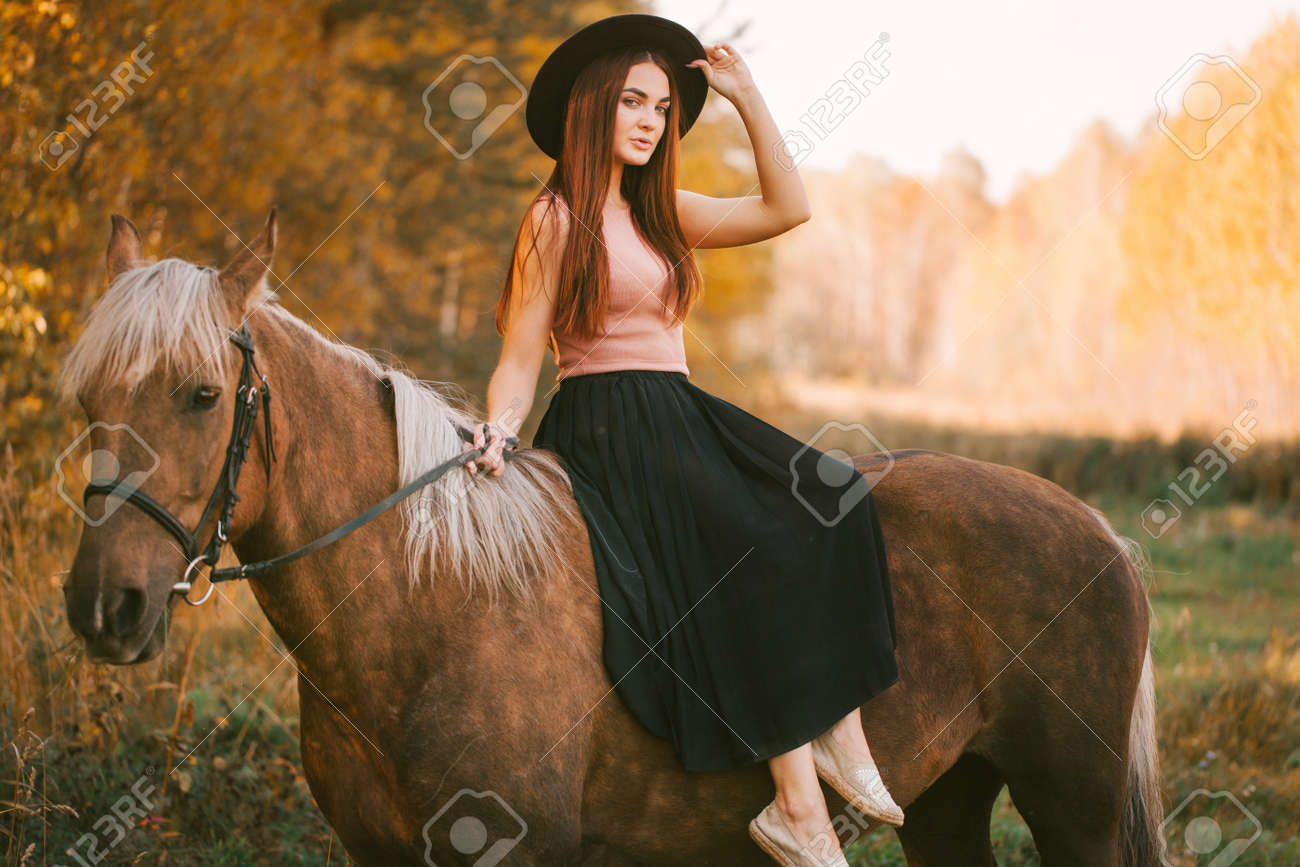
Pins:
x: 248, y: 398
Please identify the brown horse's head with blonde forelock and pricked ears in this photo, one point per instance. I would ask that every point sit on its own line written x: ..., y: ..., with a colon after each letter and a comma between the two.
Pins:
x: 155, y: 372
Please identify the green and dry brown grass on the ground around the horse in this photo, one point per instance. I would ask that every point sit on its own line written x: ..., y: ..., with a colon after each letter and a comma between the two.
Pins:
x: 1225, y: 592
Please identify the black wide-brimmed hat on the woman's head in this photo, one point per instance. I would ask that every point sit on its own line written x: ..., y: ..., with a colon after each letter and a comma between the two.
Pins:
x: 549, y: 96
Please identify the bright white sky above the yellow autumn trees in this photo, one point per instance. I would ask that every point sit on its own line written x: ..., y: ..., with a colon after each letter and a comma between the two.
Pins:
x: 1012, y: 83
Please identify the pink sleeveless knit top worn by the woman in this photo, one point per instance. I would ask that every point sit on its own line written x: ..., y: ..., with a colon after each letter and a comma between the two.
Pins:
x: 639, y: 326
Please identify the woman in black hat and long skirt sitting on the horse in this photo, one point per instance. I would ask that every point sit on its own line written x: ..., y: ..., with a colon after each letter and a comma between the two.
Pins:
x: 739, y: 625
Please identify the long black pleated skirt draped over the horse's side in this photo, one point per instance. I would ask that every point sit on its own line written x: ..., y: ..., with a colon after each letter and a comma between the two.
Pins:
x: 746, y: 593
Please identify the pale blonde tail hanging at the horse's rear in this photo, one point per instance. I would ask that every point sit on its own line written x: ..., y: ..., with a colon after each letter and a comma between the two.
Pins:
x: 1141, y: 840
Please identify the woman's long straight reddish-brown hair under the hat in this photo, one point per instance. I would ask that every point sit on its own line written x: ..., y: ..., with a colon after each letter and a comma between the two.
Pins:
x: 582, y: 180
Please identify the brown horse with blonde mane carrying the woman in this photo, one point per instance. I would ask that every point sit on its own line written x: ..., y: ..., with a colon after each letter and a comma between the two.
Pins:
x: 454, y: 705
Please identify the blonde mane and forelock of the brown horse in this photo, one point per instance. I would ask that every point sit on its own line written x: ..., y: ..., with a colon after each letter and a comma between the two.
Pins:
x: 496, y: 535
